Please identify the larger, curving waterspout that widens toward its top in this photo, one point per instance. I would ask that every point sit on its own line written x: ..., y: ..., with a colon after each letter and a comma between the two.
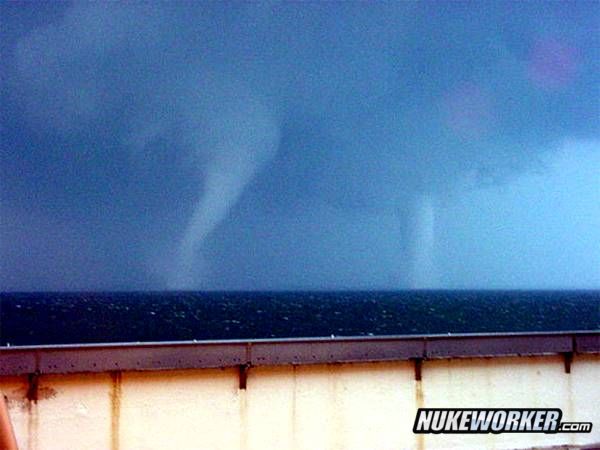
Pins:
x: 242, y: 136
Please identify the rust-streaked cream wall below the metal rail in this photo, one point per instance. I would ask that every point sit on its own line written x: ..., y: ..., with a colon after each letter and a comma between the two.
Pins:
x: 339, y: 406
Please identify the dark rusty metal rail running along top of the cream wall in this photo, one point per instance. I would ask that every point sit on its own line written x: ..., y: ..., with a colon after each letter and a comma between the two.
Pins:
x: 260, y: 352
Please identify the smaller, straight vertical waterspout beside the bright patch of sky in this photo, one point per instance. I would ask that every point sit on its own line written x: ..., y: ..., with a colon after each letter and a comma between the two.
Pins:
x: 422, y: 263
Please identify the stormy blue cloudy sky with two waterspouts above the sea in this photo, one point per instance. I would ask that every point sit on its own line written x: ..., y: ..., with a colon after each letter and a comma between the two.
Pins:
x: 229, y: 145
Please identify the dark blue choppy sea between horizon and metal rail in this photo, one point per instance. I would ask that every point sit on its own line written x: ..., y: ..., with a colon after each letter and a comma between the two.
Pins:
x: 70, y: 318
